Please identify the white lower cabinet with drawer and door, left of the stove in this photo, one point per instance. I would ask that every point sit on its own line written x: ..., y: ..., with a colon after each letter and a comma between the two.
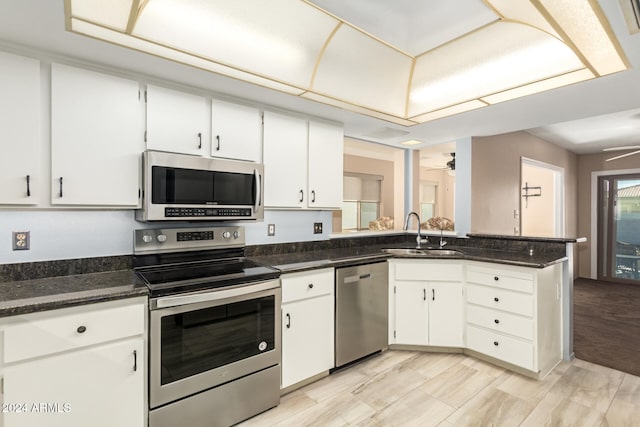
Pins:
x: 80, y: 366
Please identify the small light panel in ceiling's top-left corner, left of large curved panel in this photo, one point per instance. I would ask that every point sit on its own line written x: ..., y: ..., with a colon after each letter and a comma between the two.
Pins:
x: 110, y: 13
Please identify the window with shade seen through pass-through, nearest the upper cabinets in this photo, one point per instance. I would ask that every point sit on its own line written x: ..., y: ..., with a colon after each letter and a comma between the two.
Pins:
x: 362, y: 200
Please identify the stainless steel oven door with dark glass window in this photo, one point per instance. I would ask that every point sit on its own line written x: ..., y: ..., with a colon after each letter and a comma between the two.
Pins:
x: 201, y: 340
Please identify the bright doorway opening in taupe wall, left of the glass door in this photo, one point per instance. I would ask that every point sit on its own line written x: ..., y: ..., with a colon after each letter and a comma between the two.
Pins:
x: 542, y: 199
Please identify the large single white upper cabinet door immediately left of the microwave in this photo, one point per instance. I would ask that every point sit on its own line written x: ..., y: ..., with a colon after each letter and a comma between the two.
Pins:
x: 96, y: 138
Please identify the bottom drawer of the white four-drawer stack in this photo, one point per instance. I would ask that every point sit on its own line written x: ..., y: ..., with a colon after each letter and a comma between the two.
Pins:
x: 508, y: 349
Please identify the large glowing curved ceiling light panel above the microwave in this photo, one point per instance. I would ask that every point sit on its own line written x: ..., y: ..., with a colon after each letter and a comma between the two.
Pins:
x: 279, y: 39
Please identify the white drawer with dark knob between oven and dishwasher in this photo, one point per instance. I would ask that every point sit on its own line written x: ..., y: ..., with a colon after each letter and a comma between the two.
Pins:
x: 297, y: 286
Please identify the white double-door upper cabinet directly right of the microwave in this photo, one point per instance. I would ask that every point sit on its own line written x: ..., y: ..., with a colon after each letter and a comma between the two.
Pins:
x: 303, y: 163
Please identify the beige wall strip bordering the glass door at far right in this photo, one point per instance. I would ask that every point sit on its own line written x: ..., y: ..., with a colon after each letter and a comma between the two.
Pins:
x: 587, y: 164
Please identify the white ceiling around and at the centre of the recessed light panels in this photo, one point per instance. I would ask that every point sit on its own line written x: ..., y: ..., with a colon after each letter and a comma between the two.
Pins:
x: 609, y: 103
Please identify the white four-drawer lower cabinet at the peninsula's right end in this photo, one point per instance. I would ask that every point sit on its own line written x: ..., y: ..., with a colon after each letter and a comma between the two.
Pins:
x: 514, y: 314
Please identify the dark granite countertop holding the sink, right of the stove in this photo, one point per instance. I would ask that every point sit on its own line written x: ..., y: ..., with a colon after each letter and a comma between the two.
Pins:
x: 343, y: 257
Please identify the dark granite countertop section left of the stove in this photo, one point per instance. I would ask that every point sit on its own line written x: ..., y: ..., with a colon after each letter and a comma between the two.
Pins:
x: 28, y: 296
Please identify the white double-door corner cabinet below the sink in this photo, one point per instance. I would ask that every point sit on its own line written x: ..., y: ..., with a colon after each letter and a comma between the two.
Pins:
x: 426, y: 303
